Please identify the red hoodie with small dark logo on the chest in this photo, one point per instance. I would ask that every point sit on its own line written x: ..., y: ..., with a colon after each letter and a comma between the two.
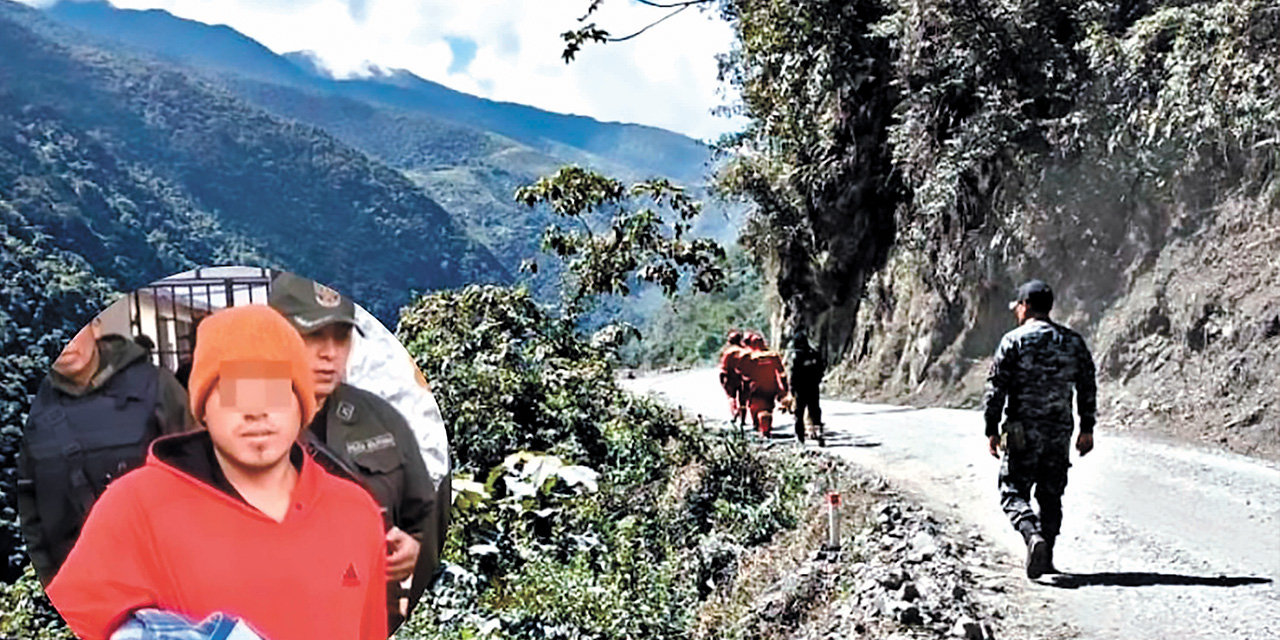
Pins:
x: 175, y: 536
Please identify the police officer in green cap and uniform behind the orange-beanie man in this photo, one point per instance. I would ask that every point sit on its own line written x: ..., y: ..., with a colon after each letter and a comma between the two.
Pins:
x: 365, y: 437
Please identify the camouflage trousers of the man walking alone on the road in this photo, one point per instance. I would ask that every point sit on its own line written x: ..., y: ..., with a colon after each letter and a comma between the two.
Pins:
x: 1036, y: 461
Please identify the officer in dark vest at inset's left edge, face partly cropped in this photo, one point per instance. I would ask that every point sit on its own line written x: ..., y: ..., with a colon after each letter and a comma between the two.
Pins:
x: 92, y: 422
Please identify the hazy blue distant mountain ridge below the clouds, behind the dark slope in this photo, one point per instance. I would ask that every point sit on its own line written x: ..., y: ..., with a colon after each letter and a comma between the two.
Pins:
x: 467, y: 153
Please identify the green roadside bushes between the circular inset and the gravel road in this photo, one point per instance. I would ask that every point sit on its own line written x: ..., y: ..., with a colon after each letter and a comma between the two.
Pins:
x: 621, y: 524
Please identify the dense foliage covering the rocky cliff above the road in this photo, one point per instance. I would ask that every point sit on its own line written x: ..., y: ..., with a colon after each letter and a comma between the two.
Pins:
x: 985, y: 135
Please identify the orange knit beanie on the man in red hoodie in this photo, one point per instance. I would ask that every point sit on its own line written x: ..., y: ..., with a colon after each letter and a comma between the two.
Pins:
x: 249, y: 333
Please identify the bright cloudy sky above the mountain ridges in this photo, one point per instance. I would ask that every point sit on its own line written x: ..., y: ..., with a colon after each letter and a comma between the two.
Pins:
x: 506, y: 51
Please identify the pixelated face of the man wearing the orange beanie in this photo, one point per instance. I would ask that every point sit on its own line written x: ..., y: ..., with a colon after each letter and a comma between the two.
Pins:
x: 254, y: 422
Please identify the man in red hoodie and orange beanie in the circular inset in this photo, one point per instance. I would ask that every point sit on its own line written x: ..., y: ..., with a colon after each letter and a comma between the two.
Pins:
x: 236, y: 519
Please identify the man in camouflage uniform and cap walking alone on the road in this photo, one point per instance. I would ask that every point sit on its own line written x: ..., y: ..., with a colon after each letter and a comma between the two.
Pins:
x: 1032, y: 377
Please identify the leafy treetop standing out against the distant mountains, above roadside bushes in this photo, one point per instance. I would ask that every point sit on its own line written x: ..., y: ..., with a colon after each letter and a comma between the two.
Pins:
x: 638, y: 244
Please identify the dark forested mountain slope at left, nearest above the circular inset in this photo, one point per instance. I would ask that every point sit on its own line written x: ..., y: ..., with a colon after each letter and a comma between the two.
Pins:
x: 145, y: 172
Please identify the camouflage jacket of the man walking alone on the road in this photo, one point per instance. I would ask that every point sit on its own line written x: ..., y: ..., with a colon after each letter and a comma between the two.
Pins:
x: 1034, y: 374
